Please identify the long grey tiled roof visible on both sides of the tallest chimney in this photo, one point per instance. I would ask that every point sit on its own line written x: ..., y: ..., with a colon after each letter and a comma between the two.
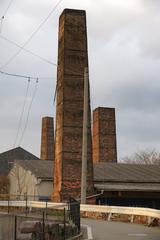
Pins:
x: 104, y: 172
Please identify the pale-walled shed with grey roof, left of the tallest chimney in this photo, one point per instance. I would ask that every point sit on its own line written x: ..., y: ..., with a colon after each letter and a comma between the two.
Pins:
x: 32, y: 177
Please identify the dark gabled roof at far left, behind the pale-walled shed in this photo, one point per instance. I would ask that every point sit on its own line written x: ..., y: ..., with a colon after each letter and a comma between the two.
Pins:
x: 7, y: 158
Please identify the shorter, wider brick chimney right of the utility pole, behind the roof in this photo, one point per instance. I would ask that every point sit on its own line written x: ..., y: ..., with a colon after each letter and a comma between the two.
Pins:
x: 104, y: 135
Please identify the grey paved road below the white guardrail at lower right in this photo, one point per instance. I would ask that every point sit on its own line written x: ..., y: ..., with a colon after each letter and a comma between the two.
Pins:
x: 103, y: 230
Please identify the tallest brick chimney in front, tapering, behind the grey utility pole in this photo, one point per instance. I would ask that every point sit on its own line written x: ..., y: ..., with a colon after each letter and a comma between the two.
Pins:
x: 72, y: 59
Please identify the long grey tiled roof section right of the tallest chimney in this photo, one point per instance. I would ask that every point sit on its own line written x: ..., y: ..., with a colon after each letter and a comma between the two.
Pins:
x: 113, y: 172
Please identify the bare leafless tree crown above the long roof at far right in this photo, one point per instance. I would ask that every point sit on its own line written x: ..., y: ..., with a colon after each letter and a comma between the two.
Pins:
x: 144, y: 157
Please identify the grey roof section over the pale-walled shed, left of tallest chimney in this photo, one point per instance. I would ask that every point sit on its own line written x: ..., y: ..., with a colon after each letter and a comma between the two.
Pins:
x: 41, y: 169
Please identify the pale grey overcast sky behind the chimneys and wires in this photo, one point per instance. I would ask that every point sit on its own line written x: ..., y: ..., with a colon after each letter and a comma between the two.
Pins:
x: 124, y: 57
